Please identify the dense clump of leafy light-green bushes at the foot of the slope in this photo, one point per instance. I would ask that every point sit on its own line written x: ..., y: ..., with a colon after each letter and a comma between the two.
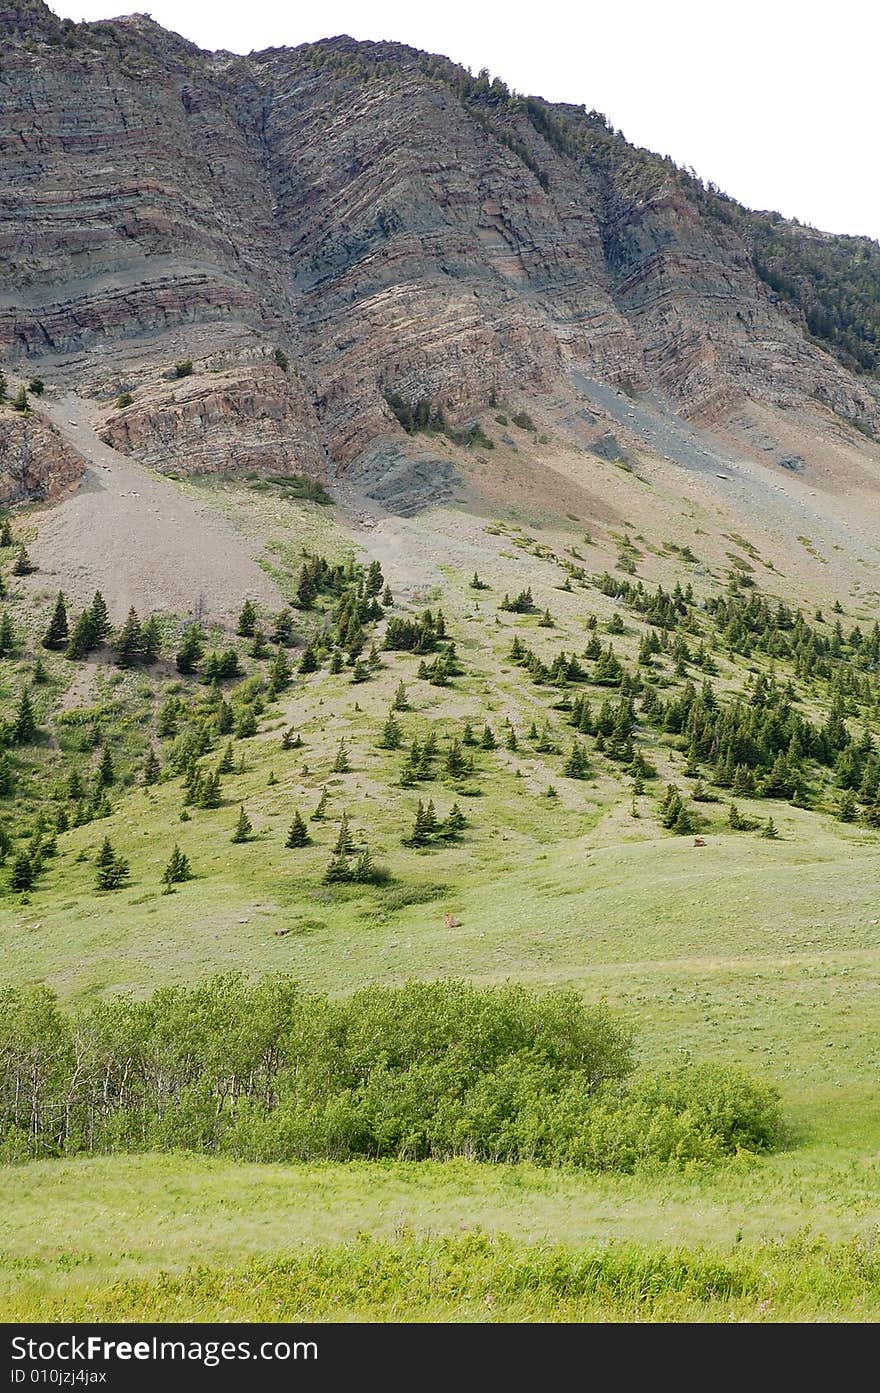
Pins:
x: 428, y: 1071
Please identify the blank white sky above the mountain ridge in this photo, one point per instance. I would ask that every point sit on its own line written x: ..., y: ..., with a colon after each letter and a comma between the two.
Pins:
x: 775, y: 101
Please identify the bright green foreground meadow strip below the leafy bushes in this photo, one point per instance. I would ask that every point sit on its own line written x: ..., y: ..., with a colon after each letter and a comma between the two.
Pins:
x: 171, y: 1238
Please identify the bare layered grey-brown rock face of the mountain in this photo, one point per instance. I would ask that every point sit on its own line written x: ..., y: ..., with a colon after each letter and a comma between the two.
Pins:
x: 315, y: 229
